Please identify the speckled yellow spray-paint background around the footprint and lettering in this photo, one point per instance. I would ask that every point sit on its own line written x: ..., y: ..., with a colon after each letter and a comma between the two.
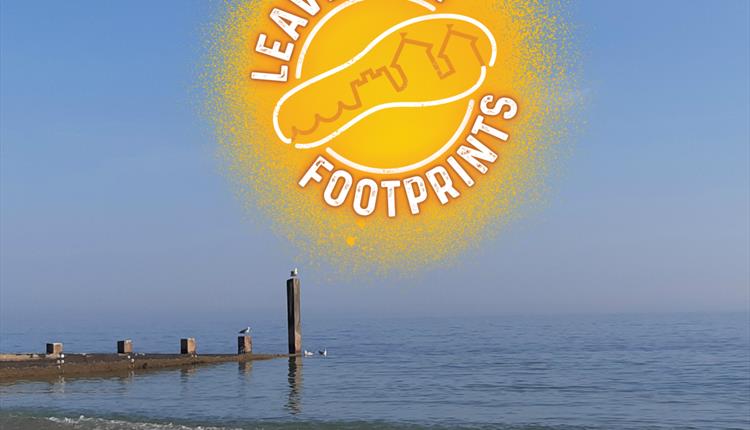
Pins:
x: 535, y: 59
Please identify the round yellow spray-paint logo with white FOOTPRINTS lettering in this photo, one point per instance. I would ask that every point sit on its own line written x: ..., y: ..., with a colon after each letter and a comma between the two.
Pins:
x: 387, y: 133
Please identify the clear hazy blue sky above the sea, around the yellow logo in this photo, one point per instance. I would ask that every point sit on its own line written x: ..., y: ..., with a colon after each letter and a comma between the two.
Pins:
x: 114, y: 199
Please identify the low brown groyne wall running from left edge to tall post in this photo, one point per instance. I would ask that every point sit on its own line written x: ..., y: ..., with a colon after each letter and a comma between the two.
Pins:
x: 34, y: 367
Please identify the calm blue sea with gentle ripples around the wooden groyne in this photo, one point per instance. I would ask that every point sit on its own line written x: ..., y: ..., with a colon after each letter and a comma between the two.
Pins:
x: 563, y: 372
